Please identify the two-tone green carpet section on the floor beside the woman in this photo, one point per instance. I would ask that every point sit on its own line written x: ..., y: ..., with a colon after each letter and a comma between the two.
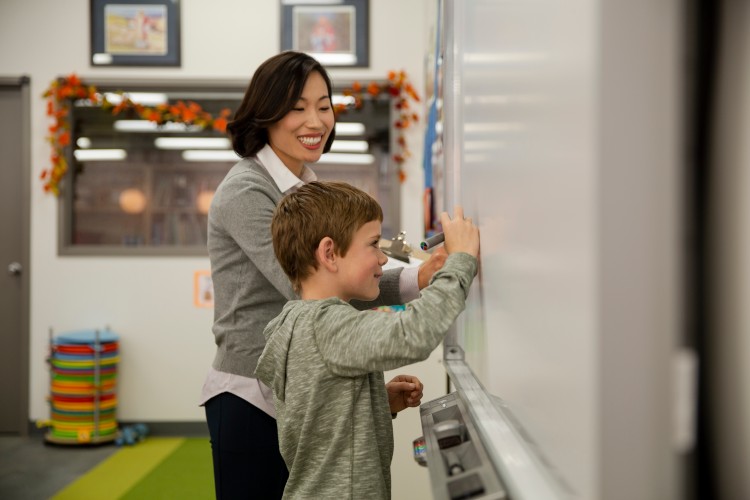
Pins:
x: 157, y: 468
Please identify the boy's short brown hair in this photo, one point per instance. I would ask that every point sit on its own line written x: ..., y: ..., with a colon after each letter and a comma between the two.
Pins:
x: 316, y: 210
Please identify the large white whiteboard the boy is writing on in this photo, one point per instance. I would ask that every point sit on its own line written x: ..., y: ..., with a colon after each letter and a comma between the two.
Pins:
x: 560, y: 137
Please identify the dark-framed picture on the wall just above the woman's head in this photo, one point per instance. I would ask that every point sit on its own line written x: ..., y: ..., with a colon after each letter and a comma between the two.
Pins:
x: 335, y: 32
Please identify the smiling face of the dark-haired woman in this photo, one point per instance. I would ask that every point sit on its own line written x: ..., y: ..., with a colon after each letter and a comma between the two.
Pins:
x: 301, y: 135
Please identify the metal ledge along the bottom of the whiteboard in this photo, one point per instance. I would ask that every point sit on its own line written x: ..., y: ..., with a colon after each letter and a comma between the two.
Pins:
x: 522, y: 472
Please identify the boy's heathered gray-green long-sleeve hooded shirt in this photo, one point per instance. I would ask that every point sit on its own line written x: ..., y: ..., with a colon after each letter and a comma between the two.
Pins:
x: 325, y: 362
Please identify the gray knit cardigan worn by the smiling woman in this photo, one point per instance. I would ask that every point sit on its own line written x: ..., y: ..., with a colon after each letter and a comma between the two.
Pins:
x: 250, y: 288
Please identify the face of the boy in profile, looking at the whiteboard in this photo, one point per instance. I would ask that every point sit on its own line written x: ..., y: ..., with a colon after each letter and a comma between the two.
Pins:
x: 360, y: 271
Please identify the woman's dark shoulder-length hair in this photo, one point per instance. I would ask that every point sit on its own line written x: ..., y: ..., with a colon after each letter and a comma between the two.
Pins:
x: 274, y: 90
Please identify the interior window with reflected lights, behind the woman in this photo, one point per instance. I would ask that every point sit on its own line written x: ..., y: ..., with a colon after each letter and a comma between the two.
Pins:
x: 141, y: 188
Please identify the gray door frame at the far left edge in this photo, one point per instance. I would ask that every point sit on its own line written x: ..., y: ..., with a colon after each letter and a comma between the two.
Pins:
x: 23, y: 83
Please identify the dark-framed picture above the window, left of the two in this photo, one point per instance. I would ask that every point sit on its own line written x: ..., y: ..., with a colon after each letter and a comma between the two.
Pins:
x: 135, y: 32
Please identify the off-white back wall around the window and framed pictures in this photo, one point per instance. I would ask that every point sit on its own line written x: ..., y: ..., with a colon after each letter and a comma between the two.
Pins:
x: 166, y: 343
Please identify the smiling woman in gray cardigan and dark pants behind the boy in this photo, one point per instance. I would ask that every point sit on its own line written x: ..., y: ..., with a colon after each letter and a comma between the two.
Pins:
x: 285, y: 121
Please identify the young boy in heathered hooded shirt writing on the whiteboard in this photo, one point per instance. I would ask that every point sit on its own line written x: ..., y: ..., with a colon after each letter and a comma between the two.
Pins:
x: 325, y: 360
